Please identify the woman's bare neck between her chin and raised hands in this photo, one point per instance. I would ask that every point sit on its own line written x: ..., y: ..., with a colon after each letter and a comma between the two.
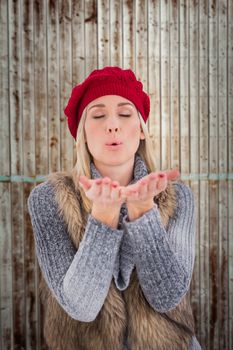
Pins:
x: 123, y: 173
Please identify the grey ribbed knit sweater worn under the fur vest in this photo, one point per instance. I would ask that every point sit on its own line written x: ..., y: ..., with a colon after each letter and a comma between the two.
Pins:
x: 80, y: 279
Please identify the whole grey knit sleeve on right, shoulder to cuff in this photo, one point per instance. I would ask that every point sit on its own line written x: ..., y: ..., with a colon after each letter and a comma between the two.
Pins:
x: 164, y: 258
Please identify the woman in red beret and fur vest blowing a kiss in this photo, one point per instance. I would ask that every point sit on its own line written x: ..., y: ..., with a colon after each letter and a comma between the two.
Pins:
x: 114, y: 237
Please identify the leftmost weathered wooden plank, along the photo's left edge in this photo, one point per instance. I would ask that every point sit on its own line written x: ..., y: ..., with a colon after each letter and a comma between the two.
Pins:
x: 6, y: 304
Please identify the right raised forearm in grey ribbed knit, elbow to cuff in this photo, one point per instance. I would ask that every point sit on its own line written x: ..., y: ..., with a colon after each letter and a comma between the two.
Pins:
x: 162, y: 277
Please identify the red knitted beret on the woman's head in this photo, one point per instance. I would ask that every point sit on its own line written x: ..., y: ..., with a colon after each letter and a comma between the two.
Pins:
x: 101, y: 82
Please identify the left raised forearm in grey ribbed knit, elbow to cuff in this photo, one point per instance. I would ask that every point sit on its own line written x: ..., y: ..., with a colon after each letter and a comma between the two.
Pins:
x: 88, y: 278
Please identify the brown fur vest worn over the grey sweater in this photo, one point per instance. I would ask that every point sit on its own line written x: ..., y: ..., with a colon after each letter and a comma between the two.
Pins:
x: 124, y: 315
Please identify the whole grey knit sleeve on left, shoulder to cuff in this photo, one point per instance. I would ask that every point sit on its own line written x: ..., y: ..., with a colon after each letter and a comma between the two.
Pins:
x: 79, y: 279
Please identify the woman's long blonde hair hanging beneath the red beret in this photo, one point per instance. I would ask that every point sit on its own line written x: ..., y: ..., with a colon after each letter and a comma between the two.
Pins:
x: 84, y: 158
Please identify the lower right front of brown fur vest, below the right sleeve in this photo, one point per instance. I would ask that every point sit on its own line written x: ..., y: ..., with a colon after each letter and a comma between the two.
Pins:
x: 149, y: 329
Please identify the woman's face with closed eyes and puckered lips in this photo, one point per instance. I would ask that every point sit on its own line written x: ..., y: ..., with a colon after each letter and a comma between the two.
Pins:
x: 112, y: 130
